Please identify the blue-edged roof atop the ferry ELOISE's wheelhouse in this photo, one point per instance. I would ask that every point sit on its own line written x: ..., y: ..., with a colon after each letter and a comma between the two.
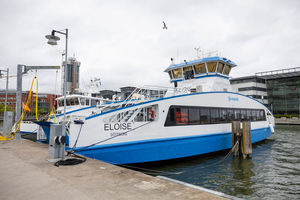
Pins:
x: 208, y: 59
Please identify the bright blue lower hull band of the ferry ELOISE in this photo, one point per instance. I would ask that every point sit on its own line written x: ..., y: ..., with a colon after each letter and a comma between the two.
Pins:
x: 167, y: 149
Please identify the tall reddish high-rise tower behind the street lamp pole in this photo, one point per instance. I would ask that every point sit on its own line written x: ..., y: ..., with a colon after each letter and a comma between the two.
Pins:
x: 72, y: 76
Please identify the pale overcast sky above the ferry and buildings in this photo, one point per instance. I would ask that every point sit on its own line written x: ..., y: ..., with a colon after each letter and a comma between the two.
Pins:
x: 123, y: 42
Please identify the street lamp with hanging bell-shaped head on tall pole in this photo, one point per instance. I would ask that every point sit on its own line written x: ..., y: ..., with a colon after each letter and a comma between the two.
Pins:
x: 52, y: 40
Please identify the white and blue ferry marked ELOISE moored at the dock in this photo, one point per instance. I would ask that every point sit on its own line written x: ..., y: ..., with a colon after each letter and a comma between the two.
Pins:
x: 153, y: 124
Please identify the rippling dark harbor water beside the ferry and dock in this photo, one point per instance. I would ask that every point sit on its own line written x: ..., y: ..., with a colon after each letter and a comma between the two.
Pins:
x: 272, y: 173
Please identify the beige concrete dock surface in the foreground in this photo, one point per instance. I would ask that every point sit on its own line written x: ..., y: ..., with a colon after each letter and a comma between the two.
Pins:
x: 25, y: 173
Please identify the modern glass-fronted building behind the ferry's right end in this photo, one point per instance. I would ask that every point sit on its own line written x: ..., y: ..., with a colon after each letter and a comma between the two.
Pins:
x: 278, y: 89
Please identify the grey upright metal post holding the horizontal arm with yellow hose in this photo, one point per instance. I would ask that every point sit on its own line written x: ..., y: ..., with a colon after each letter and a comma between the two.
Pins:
x: 18, y: 98
